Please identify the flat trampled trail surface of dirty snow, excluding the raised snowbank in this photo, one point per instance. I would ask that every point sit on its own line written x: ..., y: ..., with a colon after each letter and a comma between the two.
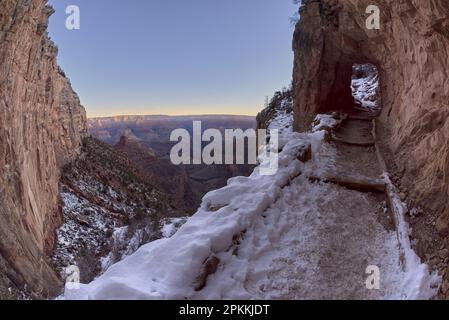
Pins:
x: 315, y: 242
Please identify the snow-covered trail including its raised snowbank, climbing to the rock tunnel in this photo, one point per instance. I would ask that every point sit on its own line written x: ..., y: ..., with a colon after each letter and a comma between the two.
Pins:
x: 292, y: 235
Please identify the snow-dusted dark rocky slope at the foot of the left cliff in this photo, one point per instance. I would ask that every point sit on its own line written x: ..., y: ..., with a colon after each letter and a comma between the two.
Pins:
x: 110, y: 209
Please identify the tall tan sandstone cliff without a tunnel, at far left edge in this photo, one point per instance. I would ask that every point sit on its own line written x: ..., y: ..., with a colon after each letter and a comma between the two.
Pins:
x: 41, y: 127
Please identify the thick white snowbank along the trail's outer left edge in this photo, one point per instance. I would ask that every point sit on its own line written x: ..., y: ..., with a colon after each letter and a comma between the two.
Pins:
x: 168, y: 268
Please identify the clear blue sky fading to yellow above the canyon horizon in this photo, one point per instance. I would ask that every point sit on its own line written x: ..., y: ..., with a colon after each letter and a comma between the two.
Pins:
x: 175, y: 56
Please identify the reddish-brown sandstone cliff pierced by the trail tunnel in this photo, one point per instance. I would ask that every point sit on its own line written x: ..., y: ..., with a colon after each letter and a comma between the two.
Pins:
x: 411, y: 52
